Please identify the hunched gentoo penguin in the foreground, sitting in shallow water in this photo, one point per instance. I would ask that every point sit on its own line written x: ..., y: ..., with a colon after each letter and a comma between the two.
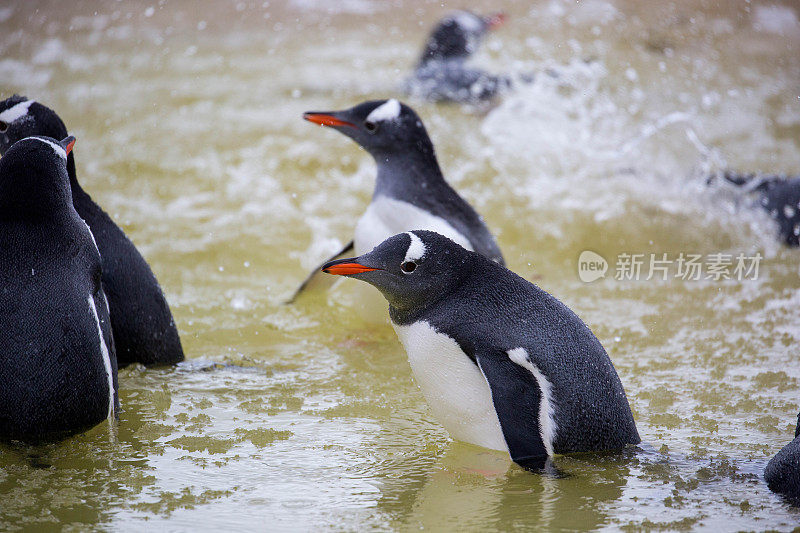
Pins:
x: 502, y: 363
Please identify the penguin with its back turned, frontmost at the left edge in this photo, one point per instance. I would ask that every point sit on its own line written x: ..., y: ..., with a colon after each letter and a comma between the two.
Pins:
x: 58, y: 367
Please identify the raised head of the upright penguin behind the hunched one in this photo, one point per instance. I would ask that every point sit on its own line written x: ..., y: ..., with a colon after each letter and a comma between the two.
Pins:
x: 381, y: 127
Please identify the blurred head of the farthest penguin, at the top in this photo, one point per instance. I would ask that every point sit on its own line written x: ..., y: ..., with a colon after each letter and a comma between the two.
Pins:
x: 458, y: 35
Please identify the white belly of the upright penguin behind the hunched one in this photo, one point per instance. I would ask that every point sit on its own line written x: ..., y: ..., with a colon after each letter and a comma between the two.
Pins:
x: 386, y: 217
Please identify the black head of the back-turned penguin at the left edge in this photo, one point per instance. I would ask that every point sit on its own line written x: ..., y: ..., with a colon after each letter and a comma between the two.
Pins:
x: 33, y: 178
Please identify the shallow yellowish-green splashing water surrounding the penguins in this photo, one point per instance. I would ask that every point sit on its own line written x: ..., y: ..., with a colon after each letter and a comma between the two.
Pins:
x: 306, y: 416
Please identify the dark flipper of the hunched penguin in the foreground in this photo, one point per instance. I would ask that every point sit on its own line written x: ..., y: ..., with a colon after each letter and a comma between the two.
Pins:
x: 517, y: 397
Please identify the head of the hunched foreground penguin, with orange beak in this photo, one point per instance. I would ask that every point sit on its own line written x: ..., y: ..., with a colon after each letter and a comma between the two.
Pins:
x: 412, y: 270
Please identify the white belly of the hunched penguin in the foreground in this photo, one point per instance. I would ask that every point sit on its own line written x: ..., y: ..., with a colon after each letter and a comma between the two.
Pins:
x: 454, y: 387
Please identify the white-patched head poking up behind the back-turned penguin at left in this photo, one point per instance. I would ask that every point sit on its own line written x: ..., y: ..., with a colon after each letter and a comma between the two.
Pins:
x: 20, y: 118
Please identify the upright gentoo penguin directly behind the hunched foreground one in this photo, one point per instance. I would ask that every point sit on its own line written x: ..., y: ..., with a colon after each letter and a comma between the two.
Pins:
x: 410, y: 190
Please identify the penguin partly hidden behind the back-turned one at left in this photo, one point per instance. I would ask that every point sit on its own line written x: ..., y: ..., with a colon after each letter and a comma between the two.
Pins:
x: 144, y: 330
